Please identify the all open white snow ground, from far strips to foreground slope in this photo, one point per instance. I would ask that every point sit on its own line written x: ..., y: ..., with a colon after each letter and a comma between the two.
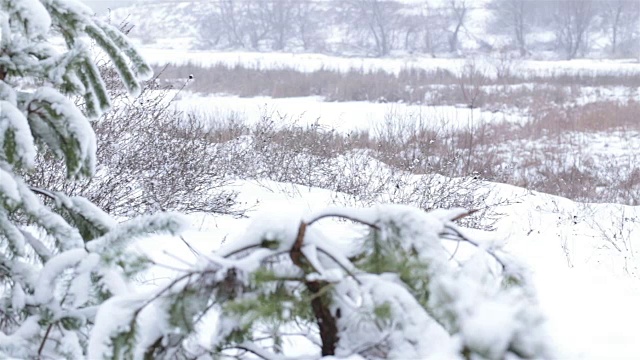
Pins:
x: 583, y: 257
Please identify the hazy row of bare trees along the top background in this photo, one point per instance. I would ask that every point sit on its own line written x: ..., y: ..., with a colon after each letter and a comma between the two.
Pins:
x: 569, y: 28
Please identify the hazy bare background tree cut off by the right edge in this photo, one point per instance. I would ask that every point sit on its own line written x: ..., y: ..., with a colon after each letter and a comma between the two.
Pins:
x: 620, y: 19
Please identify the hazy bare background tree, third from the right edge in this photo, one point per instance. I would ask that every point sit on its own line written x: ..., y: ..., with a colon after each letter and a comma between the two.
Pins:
x: 514, y: 17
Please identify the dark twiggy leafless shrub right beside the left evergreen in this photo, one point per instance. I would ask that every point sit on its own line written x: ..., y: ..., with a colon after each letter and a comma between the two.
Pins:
x: 150, y: 158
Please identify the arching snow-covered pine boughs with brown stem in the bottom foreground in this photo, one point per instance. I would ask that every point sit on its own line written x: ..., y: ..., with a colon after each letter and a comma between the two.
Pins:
x: 396, y: 293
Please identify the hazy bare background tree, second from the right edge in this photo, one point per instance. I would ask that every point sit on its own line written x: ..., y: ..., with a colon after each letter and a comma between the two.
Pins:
x: 572, y: 22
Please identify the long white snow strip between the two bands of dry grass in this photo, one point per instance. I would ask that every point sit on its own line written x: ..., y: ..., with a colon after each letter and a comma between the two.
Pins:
x: 340, y: 116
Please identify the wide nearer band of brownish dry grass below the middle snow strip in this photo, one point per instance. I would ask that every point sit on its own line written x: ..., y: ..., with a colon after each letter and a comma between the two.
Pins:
x: 559, y: 163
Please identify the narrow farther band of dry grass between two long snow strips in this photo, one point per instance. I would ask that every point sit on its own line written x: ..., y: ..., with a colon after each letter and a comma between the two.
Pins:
x: 473, y: 87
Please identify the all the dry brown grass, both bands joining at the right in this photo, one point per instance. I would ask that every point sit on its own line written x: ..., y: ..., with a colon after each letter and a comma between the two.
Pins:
x: 496, y: 152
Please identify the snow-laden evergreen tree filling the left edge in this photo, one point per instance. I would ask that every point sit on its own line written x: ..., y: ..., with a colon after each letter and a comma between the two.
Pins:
x: 60, y: 257
